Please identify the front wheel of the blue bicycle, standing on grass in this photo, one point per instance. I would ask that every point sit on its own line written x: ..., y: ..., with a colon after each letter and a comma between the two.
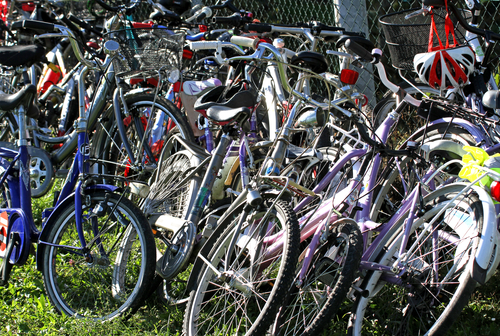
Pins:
x: 112, y: 278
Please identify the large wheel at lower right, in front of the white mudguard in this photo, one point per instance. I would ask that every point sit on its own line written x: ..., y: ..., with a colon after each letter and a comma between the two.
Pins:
x: 433, y: 283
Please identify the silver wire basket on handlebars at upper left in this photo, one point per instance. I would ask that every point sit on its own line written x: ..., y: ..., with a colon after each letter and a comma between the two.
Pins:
x: 147, y: 51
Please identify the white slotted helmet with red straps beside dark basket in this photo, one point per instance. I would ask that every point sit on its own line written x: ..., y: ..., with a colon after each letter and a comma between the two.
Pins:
x: 445, y: 69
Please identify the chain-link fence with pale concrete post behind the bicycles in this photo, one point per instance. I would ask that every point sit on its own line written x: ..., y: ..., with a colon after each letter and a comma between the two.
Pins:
x: 353, y: 14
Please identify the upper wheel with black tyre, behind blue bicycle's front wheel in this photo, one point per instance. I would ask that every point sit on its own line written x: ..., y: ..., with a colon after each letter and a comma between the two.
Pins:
x: 107, y: 149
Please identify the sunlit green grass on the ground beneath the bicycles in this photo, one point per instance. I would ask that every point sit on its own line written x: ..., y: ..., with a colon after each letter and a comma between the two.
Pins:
x: 26, y: 310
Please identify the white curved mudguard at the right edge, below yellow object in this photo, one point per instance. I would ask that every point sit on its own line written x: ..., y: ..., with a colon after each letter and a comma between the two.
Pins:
x: 486, y: 257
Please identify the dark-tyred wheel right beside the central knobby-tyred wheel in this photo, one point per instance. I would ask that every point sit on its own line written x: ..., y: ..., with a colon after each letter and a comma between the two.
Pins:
x: 309, y: 307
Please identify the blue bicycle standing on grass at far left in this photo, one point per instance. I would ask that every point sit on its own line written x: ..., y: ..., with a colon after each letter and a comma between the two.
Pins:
x: 95, y: 250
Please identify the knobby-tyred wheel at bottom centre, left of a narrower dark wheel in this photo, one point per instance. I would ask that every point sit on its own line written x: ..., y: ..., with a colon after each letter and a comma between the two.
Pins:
x: 241, y: 289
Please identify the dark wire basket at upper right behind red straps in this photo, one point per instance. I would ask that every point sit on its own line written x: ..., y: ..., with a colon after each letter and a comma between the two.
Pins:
x: 406, y: 38
